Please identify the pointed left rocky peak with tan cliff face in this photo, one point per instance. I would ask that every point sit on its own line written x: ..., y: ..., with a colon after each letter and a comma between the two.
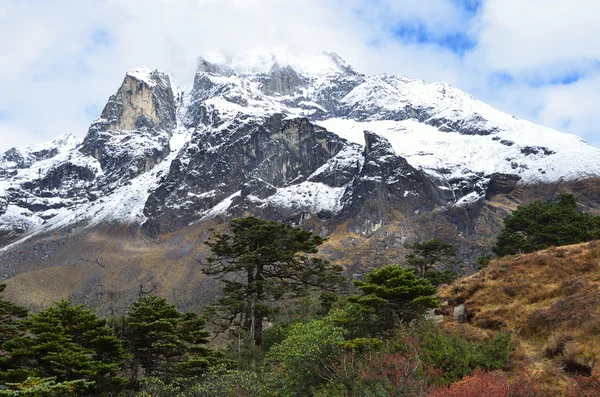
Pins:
x: 132, y: 134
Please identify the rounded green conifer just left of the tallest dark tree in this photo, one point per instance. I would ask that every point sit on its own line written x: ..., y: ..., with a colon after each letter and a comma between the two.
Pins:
x: 164, y: 341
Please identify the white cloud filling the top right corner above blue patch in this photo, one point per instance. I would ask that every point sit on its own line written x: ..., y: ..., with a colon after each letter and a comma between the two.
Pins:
x: 519, y: 35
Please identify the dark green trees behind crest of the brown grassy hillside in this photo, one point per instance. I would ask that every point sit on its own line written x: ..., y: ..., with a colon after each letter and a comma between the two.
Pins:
x: 539, y: 225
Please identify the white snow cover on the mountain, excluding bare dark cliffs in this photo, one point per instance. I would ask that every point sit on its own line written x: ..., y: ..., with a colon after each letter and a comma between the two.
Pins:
x: 458, y: 141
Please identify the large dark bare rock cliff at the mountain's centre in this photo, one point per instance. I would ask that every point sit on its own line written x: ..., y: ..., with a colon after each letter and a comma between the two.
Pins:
x: 246, y: 159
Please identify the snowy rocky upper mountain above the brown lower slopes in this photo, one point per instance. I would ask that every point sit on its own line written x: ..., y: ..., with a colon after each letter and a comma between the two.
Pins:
x: 281, y: 136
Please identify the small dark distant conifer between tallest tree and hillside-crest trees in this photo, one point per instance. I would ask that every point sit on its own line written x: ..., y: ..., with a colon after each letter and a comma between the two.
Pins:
x: 426, y: 255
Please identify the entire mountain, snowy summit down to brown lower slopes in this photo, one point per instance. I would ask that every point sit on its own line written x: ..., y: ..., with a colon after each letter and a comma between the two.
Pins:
x: 372, y: 162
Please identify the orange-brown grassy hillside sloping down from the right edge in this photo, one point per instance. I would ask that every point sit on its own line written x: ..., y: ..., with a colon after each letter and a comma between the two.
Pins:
x: 549, y: 300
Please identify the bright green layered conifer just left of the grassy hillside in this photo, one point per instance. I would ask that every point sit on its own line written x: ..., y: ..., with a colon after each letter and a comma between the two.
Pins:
x: 390, y: 295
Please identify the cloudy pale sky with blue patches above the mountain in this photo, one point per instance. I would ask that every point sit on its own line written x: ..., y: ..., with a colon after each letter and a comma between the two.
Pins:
x: 535, y: 59
